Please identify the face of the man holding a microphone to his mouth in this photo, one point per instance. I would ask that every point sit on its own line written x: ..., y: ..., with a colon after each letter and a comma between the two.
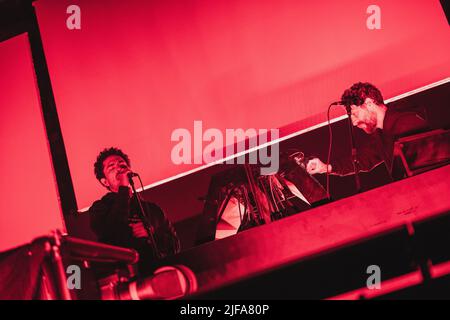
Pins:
x: 115, y: 169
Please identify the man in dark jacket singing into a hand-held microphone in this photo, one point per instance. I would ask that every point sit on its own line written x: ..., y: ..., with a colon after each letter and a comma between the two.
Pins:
x: 115, y: 217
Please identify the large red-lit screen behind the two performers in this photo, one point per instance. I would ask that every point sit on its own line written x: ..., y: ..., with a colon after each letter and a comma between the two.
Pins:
x: 137, y: 70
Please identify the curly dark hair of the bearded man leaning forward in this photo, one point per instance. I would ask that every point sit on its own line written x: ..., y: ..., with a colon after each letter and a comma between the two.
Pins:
x: 358, y: 93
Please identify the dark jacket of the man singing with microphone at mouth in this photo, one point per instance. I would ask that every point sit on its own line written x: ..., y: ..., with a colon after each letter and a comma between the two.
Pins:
x: 110, y: 218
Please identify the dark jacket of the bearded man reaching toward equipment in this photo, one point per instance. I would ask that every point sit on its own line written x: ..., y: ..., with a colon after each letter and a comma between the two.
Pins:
x: 380, y: 145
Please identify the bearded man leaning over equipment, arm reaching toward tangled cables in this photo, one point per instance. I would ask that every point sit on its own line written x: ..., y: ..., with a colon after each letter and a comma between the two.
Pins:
x: 370, y: 114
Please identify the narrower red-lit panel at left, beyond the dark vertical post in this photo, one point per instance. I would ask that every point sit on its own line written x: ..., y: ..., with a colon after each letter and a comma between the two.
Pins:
x: 28, y: 198
